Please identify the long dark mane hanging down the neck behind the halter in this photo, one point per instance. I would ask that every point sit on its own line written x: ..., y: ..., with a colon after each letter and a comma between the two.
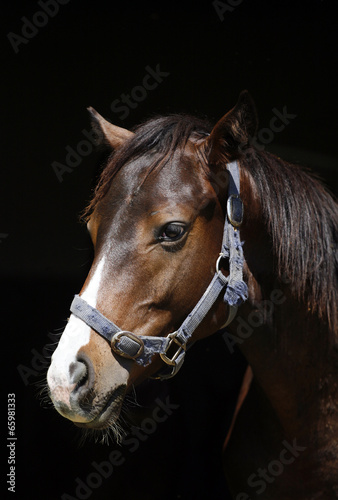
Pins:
x: 302, y: 219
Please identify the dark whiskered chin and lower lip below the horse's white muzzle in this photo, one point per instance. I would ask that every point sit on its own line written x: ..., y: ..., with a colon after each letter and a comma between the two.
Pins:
x: 108, y: 413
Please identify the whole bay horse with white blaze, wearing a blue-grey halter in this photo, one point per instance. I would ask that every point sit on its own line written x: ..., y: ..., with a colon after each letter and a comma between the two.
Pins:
x: 195, y: 229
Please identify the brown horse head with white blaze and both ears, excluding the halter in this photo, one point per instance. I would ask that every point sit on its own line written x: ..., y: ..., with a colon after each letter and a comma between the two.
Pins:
x: 156, y: 223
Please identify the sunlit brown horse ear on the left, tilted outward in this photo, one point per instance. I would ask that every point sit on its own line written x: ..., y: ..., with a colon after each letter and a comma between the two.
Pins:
x: 107, y: 132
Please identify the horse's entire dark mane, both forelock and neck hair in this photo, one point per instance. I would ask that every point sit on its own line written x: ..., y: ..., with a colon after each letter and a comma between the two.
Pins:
x: 300, y: 214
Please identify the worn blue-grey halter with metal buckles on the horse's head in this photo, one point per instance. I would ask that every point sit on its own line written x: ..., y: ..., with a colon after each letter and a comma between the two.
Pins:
x: 173, y: 347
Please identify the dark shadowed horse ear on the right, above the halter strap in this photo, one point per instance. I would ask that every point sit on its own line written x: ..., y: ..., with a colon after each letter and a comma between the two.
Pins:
x: 232, y: 133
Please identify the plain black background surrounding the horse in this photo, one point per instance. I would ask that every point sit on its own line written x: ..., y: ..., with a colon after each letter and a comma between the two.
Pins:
x: 89, y: 53
